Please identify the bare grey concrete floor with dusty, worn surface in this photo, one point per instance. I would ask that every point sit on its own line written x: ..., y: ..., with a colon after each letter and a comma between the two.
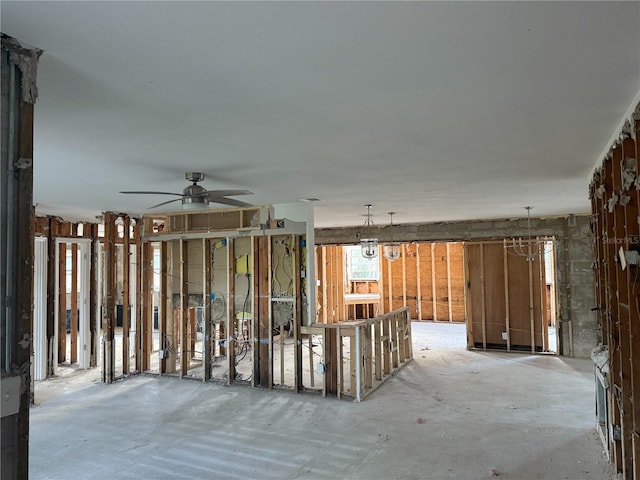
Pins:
x: 449, y: 414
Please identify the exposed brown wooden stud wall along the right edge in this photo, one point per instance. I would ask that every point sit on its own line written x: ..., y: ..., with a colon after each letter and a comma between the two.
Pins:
x: 615, y: 200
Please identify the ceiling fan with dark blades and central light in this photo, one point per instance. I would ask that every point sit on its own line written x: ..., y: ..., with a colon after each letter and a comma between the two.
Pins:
x: 195, y: 197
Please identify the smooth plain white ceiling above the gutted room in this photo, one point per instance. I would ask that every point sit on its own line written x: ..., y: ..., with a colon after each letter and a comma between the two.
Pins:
x: 436, y: 110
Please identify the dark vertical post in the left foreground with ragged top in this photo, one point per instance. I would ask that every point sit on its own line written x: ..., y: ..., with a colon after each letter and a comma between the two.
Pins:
x: 19, y: 66
